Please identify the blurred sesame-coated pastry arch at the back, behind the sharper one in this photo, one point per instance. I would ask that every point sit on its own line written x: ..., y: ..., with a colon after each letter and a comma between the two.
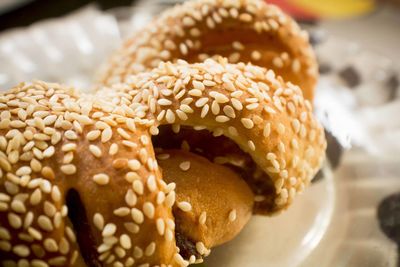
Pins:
x: 243, y: 31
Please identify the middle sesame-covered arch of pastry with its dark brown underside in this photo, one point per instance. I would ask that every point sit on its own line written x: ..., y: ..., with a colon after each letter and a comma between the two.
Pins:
x: 263, y: 127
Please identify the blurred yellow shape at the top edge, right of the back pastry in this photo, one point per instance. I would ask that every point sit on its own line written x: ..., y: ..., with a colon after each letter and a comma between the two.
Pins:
x: 335, y: 8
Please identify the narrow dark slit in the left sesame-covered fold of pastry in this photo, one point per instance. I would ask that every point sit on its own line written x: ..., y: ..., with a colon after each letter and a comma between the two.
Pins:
x: 86, y: 242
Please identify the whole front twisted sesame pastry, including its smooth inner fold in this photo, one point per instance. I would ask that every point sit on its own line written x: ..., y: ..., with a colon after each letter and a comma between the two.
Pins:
x: 79, y: 183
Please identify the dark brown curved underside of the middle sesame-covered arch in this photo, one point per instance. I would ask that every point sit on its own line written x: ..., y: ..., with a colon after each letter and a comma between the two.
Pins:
x: 221, y: 150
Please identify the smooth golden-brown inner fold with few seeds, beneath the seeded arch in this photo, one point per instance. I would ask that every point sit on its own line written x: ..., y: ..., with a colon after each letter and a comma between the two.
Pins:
x: 215, y: 193
